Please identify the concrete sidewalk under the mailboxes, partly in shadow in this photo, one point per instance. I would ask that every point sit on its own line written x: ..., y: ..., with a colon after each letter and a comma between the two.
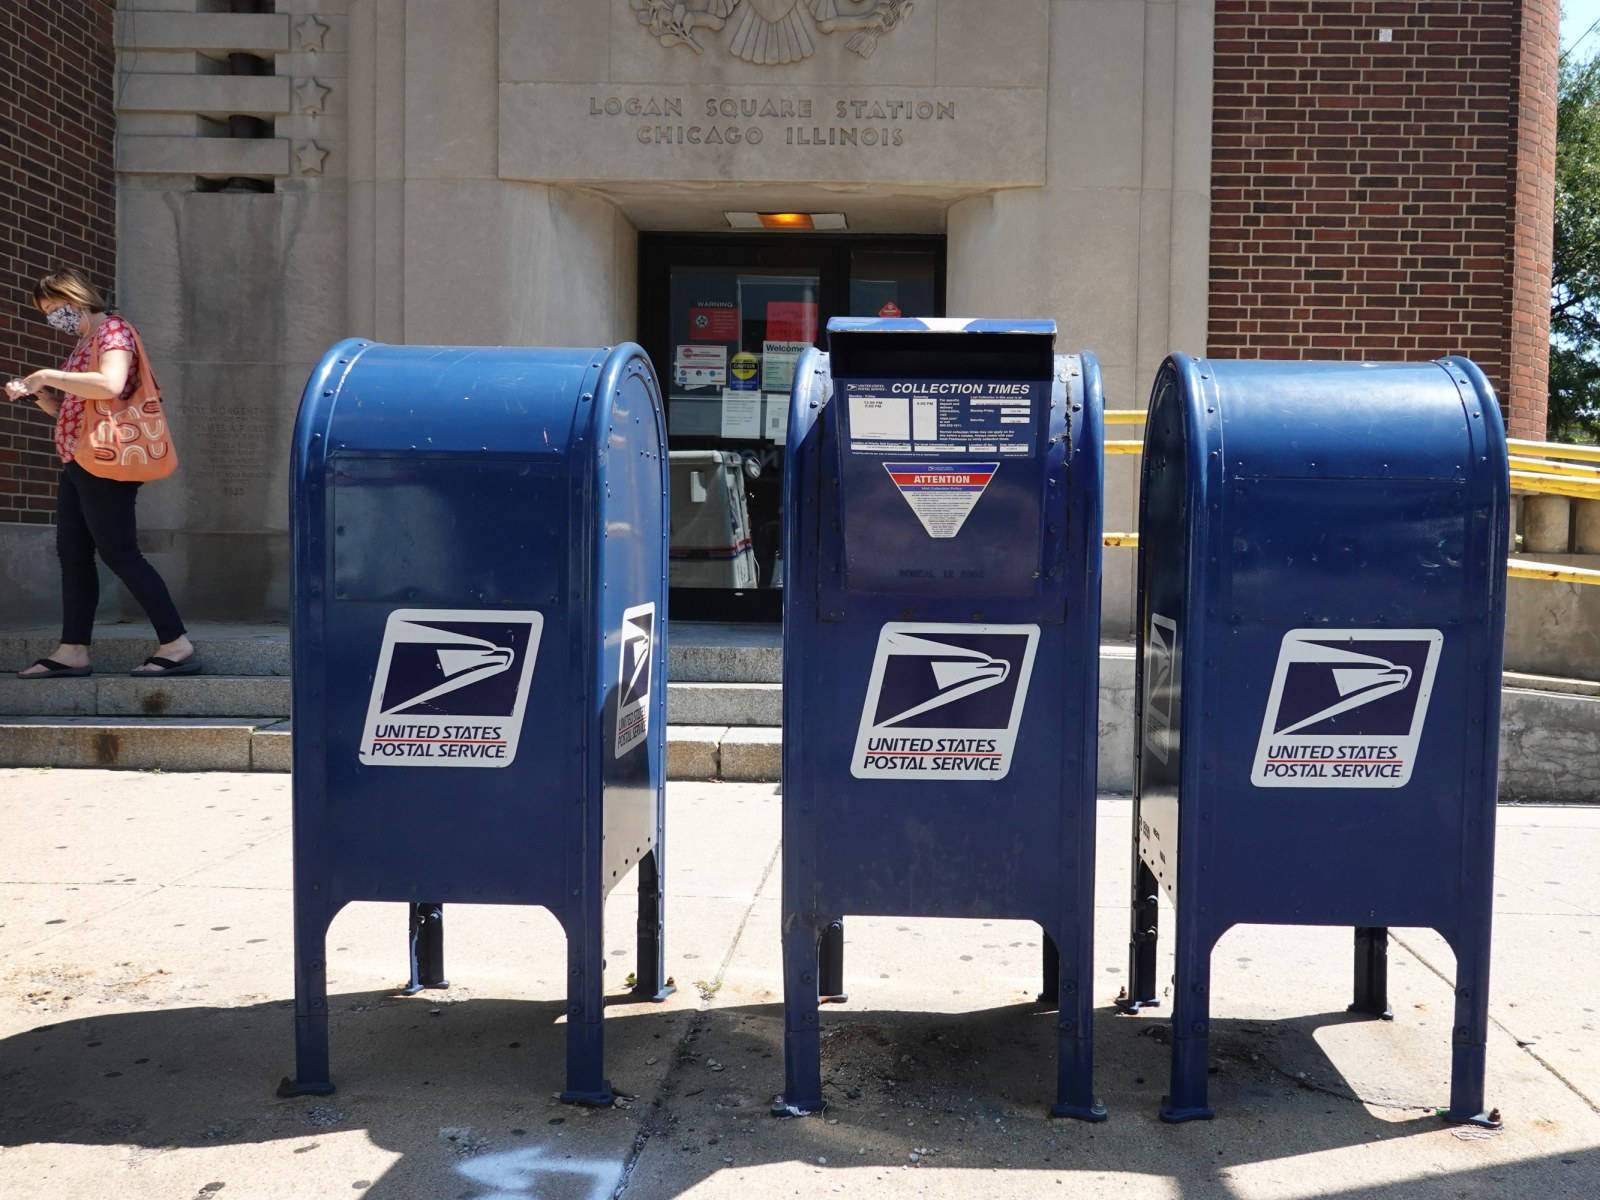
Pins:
x: 146, y: 1020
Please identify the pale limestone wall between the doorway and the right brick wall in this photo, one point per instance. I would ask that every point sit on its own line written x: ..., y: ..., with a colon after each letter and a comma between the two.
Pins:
x: 1116, y: 242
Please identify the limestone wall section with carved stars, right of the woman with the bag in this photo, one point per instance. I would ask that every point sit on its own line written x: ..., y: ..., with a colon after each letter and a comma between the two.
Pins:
x: 231, y: 164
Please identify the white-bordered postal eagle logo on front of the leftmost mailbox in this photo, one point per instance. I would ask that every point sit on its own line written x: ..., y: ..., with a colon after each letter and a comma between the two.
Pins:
x: 450, y: 687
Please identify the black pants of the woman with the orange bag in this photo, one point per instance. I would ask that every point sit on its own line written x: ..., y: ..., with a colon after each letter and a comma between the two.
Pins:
x: 97, y: 514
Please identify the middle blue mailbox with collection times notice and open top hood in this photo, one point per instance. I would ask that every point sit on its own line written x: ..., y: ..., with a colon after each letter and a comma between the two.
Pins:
x: 942, y: 655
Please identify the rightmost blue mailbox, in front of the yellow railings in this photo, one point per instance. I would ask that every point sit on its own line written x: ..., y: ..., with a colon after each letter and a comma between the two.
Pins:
x: 1322, y: 593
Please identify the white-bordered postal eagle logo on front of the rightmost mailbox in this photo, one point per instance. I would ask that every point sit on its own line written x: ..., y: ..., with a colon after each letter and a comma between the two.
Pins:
x: 1346, y: 708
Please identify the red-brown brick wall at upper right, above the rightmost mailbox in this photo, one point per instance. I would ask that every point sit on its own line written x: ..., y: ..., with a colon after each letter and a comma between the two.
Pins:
x: 1383, y: 199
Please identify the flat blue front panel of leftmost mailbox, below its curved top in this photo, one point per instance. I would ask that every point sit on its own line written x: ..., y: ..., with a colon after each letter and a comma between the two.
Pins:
x: 447, y: 633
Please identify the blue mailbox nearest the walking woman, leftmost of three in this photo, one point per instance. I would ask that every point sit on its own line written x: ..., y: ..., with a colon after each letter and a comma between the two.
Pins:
x: 479, y: 604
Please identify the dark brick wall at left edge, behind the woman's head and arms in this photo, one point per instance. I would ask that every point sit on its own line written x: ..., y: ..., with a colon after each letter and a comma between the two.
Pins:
x: 57, y: 209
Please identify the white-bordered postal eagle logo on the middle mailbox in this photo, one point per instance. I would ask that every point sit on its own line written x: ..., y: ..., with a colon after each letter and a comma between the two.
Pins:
x: 945, y: 702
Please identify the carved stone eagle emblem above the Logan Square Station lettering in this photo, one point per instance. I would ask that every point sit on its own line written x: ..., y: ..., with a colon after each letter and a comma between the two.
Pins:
x: 772, y: 33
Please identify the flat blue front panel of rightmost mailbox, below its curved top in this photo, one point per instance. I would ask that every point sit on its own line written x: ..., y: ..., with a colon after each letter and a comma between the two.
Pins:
x: 1337, y: 737
